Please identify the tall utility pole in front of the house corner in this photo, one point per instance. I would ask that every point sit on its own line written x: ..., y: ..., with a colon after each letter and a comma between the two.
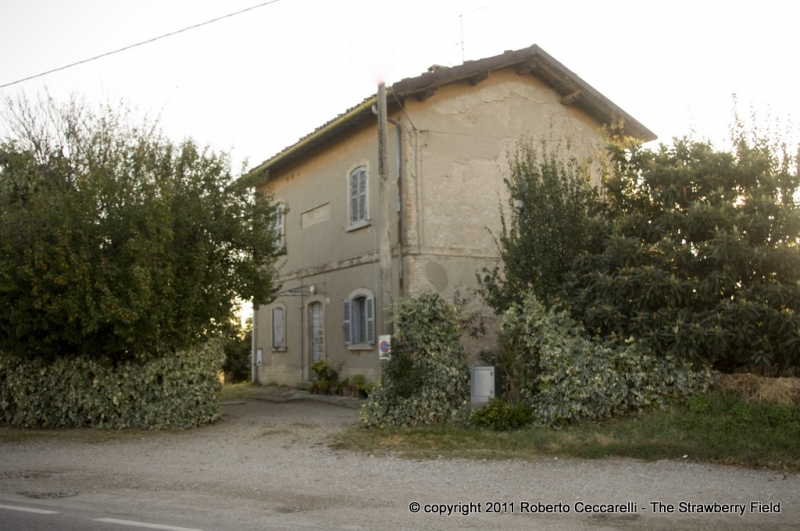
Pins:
x: 385, y: 208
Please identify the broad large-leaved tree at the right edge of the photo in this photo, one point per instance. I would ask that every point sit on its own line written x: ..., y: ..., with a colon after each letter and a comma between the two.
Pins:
x: 699, y: 255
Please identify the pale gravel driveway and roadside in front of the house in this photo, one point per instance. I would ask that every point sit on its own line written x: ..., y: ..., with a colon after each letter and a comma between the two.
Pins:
x: 267, y: 466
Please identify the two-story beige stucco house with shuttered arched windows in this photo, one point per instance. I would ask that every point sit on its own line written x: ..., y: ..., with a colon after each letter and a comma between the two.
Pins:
x: 450, y: 133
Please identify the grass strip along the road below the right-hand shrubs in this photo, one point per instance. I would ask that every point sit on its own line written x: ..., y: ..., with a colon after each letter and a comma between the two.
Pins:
x: 710, y: 428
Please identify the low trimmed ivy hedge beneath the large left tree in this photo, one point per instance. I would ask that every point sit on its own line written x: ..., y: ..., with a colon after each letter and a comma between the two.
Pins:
x: 175, y: 392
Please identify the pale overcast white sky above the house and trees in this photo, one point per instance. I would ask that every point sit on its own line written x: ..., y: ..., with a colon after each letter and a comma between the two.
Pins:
x: 255, y: 83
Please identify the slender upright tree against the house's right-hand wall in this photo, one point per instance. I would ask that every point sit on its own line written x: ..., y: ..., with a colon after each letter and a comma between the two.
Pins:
x: 551, y: 201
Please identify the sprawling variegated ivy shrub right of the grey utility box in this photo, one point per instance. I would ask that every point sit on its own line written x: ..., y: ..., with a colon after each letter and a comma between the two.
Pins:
x: 565, y: 376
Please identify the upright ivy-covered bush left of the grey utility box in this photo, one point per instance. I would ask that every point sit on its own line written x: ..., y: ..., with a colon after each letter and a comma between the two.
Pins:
x: 426, y: 380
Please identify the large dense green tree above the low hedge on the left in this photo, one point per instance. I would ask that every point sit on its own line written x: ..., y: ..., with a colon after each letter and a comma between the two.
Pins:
x: 117, y: 242
